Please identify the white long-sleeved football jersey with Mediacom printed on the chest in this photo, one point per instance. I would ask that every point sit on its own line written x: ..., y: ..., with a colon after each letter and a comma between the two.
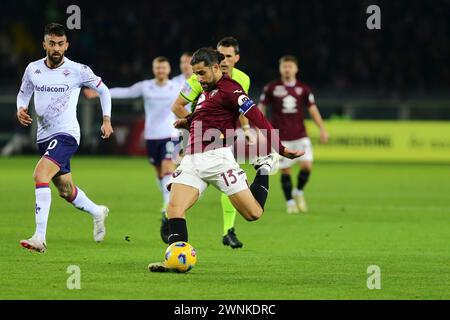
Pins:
x: 56, y: 94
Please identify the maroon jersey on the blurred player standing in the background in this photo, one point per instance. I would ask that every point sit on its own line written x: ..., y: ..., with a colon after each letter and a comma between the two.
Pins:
x: 288, y: 104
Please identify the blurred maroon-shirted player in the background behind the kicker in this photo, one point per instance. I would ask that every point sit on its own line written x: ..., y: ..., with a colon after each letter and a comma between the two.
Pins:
x: 289, y: 99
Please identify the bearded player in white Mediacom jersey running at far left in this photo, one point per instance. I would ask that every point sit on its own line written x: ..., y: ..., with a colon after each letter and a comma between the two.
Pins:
x: 56, y: 82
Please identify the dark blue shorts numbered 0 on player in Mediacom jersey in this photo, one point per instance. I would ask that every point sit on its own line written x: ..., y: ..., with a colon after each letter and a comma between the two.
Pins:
x: 59, y: 150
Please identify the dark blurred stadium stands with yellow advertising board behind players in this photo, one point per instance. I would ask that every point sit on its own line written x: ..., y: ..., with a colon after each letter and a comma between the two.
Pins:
x: 395, y: 75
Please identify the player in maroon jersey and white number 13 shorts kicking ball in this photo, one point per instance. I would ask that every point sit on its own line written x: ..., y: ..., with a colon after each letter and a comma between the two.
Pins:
x: 209, y: 159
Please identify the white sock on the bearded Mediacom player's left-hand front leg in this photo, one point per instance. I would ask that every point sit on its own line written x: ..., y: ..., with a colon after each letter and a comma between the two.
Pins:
x: 42, y: 209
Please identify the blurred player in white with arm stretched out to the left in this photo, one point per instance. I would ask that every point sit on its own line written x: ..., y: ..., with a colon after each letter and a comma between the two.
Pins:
x: 160, y: 134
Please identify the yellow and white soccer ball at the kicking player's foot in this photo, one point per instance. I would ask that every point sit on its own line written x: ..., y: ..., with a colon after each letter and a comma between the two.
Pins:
x: 180, y: 257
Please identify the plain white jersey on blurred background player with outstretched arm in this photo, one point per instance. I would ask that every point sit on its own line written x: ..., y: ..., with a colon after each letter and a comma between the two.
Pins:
x: 158, y: 101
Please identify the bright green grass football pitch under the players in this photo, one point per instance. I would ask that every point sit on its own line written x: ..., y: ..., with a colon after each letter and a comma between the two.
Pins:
x: 393, y: 216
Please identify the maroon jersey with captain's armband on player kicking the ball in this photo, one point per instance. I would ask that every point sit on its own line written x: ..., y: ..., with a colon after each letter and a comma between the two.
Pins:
x: 213, y: 123
